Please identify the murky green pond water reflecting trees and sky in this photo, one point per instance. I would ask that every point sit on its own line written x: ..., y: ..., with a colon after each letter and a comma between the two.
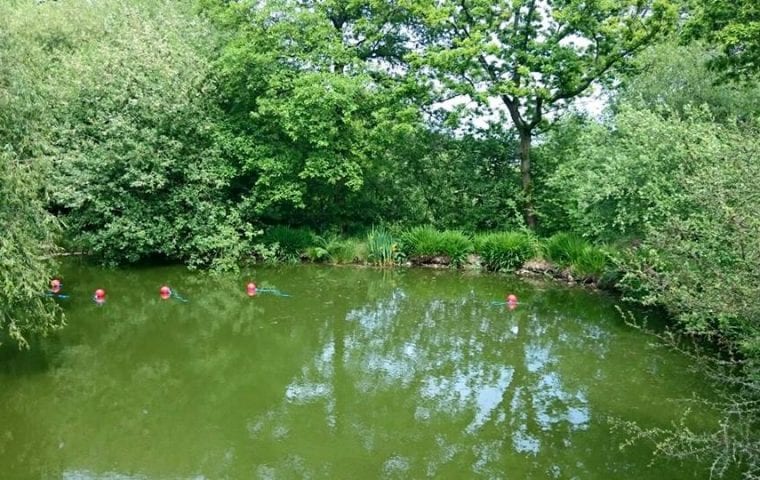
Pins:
x: 360, y: 373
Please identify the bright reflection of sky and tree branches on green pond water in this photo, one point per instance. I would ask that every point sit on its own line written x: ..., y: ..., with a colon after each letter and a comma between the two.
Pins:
x: 457, y: 382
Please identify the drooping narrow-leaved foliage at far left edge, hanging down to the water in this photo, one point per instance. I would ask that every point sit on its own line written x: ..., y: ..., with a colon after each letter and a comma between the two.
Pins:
x: 27, y: 231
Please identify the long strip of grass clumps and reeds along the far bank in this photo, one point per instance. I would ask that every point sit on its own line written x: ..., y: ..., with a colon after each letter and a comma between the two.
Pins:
x: 565, y: 256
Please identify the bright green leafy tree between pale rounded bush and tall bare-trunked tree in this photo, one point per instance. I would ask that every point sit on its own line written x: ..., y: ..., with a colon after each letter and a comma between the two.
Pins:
x: 315, y: 127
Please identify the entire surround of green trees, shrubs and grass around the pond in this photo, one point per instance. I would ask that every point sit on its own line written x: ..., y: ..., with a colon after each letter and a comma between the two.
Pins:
x: 211, y: 133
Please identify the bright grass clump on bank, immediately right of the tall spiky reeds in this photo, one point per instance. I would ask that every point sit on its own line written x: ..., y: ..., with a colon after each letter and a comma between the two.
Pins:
x: 428, y: 242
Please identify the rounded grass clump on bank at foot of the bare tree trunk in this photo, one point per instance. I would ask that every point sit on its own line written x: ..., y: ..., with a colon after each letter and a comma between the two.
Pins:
x: 505, y: 250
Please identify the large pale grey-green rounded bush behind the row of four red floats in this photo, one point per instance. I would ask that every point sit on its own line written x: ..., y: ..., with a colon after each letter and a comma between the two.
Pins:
x: 139, y: 170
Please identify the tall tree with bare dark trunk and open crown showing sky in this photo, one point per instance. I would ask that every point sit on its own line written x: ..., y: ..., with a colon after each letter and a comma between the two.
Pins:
x: 518, y: 60
